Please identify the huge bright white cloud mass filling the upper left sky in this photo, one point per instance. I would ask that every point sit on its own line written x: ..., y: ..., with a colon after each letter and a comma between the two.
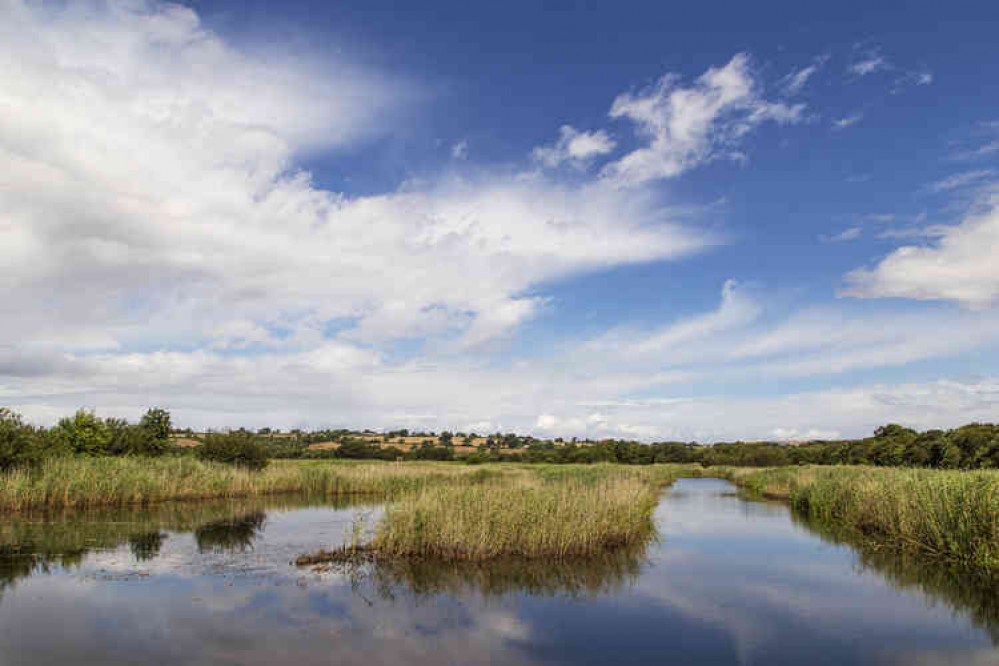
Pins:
x: 150, y: 199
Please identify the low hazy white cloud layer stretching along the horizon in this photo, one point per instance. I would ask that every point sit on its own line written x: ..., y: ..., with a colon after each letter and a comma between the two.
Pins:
x: 665, y: 383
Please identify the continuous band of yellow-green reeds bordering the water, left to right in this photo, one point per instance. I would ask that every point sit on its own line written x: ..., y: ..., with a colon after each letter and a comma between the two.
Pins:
x: 455, y: 510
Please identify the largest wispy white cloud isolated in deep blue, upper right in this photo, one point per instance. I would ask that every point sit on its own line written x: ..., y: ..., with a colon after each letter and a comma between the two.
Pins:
x: 688, y: 126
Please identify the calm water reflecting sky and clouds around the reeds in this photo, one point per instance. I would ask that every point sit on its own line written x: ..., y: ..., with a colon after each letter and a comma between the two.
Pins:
x: 731, y: 582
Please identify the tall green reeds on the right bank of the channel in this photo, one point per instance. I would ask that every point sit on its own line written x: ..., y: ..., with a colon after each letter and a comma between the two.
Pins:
x: 952, y: 515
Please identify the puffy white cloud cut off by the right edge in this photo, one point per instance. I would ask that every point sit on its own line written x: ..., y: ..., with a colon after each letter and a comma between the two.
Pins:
x: 961, y: 266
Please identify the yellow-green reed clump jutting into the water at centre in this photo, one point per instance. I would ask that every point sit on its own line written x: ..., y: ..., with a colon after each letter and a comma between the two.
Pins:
x: 526, y: 517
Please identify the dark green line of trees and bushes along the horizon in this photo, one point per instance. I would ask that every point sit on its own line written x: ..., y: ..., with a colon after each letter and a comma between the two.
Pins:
x: 972, y: 446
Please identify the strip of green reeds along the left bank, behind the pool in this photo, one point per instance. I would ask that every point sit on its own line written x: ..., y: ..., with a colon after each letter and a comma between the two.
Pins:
x: 87, y: 482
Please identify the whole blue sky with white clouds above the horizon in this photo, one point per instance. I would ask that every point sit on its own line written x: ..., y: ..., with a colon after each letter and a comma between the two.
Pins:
x: 631, y: 220
